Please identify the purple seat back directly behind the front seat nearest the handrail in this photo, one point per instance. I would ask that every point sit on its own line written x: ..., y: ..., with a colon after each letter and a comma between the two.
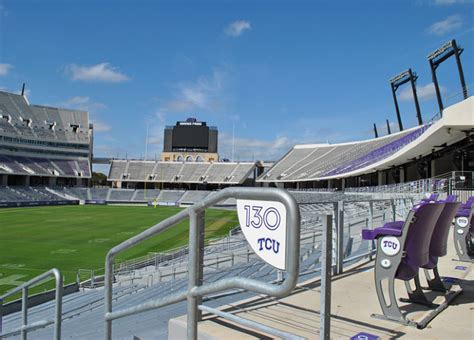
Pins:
x: 439, y: 239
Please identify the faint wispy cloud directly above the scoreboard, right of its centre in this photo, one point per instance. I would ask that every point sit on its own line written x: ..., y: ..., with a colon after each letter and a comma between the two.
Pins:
x: 204, y: 94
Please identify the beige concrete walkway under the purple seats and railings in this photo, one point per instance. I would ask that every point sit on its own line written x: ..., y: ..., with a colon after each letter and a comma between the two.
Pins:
x: 353, y: 301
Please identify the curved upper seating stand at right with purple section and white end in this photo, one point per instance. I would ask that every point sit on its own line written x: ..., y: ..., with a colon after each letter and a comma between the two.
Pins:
x: 314, y: 162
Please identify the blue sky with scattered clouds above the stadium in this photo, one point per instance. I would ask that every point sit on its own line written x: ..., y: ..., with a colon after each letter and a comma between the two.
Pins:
x: 268, y: 74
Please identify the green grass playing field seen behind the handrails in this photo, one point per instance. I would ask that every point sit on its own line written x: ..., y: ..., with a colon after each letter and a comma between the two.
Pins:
x: 33, y: 240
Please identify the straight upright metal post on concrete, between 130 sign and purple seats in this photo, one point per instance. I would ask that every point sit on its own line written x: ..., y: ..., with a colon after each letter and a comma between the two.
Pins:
x: 326, y: 266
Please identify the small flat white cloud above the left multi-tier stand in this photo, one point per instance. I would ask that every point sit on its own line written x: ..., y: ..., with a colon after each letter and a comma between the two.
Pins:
x: 102, y: 72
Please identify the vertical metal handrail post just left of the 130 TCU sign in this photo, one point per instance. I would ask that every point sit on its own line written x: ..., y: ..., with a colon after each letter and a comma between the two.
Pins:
x: 196, y: 228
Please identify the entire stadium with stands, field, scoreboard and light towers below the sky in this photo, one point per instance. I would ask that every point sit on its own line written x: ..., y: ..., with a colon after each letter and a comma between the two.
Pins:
x: 165, y: 250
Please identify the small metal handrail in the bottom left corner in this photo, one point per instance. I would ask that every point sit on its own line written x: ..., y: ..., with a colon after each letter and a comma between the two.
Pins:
x: 24, y: 306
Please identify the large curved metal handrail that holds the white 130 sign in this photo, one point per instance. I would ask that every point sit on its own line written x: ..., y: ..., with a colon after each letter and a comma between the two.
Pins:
x: 195, y: 291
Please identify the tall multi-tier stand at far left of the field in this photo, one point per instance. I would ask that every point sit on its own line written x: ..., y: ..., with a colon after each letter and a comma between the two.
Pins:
x: 42, y: 145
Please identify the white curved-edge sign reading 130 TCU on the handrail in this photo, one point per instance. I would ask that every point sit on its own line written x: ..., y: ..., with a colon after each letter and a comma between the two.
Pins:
x: 264, y: 225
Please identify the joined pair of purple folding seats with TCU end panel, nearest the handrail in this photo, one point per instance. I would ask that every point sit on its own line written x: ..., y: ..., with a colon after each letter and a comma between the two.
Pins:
x: 405, y: 247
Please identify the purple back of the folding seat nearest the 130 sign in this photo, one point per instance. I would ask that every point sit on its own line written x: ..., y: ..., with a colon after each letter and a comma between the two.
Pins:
x: 417, y: 244
